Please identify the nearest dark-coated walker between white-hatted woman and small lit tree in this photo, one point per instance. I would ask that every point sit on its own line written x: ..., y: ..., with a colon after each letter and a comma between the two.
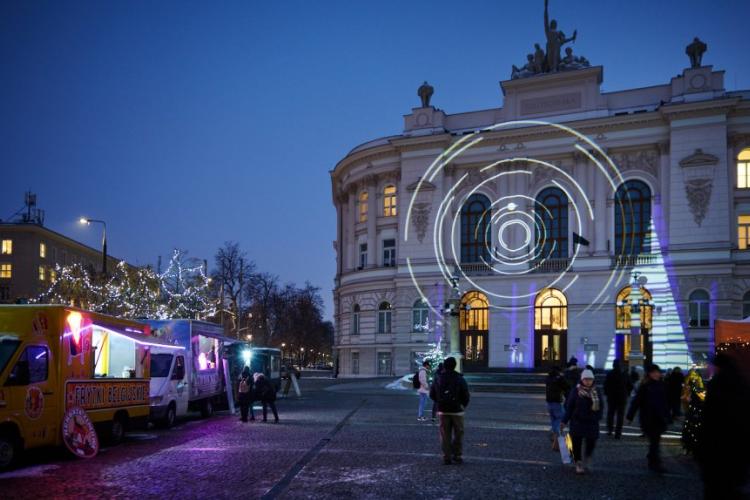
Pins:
x: 651, y: 403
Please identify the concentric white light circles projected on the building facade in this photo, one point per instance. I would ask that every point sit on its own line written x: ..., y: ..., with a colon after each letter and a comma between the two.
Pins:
x: 509, y: 214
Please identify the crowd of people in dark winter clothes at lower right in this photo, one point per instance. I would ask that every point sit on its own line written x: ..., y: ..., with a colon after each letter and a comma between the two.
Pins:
x: 714, y: 431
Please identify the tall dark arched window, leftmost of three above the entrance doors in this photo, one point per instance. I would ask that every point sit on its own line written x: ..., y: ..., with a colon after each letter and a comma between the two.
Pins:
x: 475, y: 225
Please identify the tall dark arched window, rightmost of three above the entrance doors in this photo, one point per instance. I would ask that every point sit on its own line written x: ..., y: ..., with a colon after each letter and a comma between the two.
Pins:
x: 632, y: 218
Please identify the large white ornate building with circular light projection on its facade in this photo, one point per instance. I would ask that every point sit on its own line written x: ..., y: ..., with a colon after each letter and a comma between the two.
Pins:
x: 547, y: 206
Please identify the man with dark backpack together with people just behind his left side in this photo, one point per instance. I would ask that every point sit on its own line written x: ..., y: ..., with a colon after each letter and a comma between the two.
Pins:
x: 450, y: 395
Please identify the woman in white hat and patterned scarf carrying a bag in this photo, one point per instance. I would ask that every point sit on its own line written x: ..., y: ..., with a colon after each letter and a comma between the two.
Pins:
x: 583, y: 411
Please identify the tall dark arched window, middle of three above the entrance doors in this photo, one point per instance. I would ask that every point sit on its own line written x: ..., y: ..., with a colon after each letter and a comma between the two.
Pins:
x: 552, y: 218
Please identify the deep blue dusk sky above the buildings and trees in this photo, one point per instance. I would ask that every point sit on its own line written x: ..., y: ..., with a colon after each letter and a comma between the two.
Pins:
x: 186, y: 124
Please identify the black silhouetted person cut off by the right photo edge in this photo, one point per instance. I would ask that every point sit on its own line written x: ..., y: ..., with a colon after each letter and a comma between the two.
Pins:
x: 724, y: 438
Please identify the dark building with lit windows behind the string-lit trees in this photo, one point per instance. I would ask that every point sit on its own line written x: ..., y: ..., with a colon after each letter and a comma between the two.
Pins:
x: 30, y: 252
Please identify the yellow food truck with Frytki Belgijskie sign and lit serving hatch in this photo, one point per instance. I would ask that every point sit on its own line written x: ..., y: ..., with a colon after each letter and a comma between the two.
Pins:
x: 68, y: 376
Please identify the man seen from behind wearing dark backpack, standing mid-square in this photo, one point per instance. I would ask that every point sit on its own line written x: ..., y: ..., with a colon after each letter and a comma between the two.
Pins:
x: 451, y: 393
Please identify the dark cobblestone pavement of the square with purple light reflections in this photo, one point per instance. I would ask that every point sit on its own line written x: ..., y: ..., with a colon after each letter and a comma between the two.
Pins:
x: 354, y: 440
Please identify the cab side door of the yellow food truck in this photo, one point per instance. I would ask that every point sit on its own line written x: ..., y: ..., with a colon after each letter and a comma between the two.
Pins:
x: 32, y: 387
